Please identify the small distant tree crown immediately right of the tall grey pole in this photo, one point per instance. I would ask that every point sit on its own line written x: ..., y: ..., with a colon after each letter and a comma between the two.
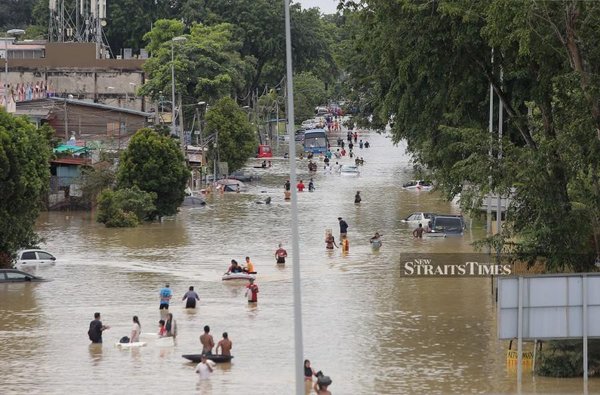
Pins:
x: 309, y: 92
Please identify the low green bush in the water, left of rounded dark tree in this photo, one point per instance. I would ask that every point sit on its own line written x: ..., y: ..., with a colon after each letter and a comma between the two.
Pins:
x: 125, y: 208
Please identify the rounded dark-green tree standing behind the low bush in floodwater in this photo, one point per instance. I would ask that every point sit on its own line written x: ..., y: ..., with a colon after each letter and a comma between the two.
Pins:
x: 154, y: 163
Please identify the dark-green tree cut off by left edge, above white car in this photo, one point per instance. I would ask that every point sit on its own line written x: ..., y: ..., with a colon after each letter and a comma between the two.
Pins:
x: 24, y: 180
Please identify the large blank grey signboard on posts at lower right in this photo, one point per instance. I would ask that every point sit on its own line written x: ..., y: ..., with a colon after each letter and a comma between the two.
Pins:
x: 552, y: 305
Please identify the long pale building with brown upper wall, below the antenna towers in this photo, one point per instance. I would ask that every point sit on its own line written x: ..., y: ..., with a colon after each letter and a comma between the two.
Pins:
x: 41, y: 70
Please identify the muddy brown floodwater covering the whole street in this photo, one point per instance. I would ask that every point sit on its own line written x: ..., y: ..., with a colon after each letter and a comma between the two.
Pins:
x: 370, y: 329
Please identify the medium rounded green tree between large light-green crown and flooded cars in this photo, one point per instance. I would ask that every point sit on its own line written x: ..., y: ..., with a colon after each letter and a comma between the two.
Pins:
x: 236, y: 138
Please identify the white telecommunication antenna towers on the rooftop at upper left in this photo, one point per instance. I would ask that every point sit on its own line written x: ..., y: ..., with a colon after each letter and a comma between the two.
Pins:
x: 79, y: 21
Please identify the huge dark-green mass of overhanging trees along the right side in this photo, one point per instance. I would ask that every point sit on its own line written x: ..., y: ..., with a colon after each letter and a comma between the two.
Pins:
x: 426, y: 66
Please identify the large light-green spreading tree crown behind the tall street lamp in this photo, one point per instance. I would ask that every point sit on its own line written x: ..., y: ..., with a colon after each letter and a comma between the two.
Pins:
x: 207, y: 64
